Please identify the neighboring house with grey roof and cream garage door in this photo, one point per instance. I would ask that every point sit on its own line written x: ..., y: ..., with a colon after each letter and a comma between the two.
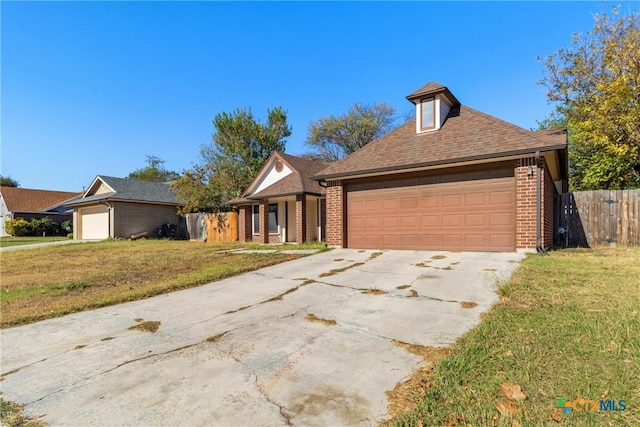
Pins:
x: 122, y: 207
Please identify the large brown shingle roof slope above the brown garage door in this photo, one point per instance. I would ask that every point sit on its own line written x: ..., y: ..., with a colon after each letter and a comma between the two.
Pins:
x: 466, y: 135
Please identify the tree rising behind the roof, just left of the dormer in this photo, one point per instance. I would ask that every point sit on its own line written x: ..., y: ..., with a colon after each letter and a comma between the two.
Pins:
x: 332, y: 138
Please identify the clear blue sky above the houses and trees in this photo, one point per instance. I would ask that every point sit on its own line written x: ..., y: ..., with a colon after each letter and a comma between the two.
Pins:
x: 92, y: 88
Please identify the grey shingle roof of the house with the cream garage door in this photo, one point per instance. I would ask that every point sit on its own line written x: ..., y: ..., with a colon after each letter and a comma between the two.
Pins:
x: 126, y: 189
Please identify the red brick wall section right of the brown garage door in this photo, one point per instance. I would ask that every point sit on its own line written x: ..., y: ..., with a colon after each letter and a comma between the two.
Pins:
x: 526, y: 205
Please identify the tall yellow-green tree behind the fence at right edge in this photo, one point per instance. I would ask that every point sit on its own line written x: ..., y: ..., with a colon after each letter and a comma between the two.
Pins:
x: 596, y: 83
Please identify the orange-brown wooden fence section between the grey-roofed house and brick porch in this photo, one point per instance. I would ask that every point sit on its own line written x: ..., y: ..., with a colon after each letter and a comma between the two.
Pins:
x: 212, y: 227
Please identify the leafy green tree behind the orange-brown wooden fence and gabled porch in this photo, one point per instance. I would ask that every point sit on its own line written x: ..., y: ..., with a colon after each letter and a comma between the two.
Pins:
x: 241, y: 144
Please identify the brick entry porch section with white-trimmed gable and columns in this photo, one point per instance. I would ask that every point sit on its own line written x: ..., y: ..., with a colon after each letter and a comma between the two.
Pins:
x: 282, y: 203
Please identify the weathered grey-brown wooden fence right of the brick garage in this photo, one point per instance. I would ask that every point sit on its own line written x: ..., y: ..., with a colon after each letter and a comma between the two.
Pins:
x: 601, y: 217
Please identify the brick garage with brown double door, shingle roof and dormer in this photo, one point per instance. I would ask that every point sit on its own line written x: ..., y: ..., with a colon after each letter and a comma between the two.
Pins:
x: 452, y: 178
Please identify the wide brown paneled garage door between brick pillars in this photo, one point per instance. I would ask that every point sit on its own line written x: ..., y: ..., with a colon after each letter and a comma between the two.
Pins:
x: 473, y: 211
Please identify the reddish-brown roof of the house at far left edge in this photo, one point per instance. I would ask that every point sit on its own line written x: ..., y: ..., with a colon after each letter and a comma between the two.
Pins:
x: 29, y: 200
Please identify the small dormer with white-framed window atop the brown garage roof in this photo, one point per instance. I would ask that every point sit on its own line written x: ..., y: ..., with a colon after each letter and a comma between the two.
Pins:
x: 433, y: 103
